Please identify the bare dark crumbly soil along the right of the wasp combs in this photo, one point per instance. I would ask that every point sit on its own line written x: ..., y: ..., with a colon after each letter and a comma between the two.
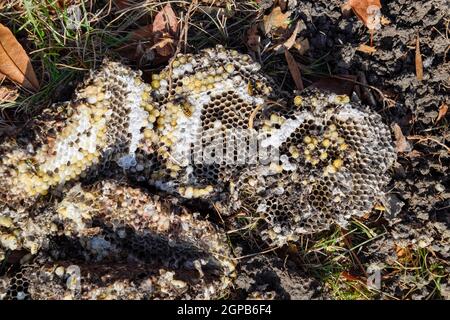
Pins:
x: 417, y: 219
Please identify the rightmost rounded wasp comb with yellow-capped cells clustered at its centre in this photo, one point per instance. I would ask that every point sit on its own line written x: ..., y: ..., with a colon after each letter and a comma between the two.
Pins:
x: 334, y: 158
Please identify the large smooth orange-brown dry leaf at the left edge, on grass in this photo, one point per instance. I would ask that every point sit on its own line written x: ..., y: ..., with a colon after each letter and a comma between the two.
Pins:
x: 15, y: 63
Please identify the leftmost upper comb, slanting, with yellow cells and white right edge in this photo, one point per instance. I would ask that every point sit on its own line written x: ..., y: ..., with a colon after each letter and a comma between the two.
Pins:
x: 102, y: 122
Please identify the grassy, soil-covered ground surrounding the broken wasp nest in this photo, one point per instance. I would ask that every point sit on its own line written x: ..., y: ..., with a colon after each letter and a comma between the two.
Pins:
x: 407, y: 239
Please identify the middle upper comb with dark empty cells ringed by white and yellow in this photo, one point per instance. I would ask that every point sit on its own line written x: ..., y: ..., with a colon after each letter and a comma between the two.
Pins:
x: 208, y: 100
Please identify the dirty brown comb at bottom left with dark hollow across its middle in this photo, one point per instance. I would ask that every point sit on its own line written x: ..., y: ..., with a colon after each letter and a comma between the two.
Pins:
x: 111, y: 241
